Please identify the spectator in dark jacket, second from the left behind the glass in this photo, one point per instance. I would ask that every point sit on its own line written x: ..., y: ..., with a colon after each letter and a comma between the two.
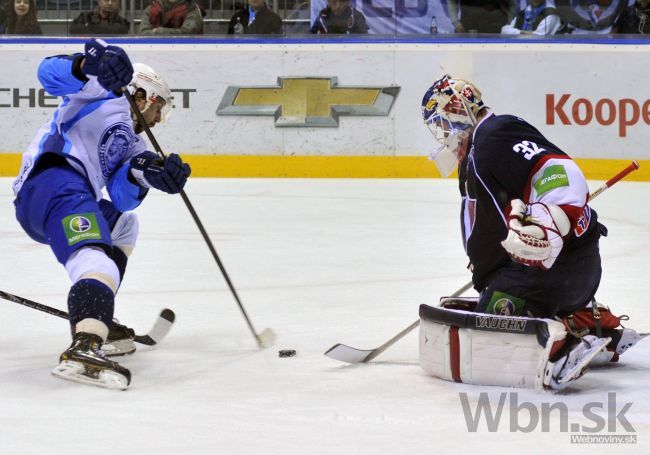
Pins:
x: 103, y: 20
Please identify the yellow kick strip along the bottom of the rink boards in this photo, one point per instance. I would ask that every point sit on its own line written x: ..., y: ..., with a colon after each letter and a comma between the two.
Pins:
x: 341, y: 166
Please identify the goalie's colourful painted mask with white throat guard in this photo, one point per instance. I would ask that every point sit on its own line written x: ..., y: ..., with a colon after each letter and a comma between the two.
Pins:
x: 449, y: 109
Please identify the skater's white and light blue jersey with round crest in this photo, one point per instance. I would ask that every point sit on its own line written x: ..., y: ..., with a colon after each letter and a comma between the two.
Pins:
x: 92, y: 129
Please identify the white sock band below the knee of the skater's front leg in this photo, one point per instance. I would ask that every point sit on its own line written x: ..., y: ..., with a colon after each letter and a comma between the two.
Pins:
x: 91, y: 262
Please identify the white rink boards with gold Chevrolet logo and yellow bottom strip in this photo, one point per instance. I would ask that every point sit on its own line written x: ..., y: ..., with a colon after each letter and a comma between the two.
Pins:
x: 296, y: 108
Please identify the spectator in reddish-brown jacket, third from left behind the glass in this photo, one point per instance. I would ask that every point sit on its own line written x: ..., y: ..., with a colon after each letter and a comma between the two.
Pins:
x: 172, y: 17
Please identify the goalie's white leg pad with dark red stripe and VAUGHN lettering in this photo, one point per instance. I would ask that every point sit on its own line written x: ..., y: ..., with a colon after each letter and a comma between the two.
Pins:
x: 485, y: 349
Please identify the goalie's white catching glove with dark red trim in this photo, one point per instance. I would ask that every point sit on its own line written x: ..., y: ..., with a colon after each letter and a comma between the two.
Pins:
x: 535, y: 233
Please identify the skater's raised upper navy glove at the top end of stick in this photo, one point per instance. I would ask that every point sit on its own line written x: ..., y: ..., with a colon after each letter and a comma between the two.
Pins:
x: 110, y: 64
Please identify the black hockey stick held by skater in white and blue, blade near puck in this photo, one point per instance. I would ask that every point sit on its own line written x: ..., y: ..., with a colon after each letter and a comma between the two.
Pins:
x: 266, y: 337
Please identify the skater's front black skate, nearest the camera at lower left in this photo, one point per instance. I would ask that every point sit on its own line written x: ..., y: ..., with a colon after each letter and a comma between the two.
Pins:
x: 86, y: 363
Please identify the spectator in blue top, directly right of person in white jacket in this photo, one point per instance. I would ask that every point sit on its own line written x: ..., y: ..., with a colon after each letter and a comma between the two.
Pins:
x: 591, y: 16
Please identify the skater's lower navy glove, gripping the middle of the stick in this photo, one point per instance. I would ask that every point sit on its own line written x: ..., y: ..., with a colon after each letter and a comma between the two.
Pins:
x: 150, y: 171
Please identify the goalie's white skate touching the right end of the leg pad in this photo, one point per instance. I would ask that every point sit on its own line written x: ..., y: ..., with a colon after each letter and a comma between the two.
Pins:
x: 573, y: 365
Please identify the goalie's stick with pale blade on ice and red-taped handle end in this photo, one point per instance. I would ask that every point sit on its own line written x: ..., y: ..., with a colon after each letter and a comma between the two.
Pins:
x: 345, y: 353
